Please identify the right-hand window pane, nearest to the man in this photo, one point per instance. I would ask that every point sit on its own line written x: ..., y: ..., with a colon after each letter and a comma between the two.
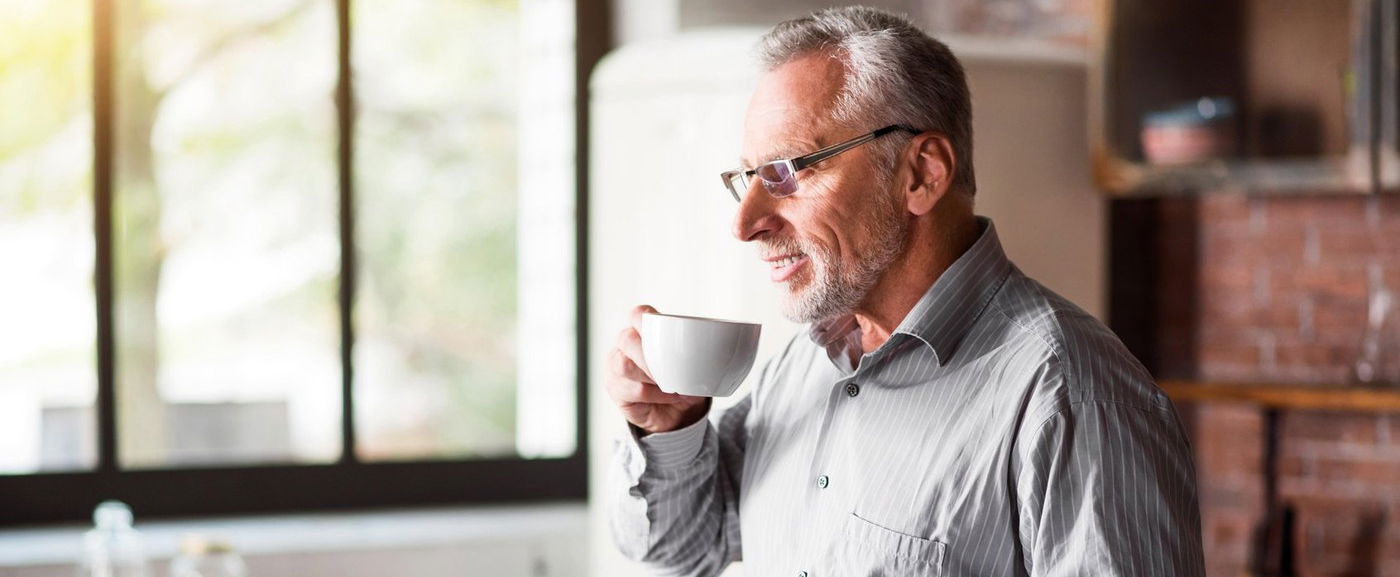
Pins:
x: 465, y: 229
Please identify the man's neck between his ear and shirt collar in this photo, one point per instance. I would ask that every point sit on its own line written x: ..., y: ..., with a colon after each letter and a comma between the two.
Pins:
x: 934, y: 244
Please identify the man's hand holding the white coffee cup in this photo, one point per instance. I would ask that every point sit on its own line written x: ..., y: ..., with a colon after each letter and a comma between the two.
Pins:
x: 631, y: 386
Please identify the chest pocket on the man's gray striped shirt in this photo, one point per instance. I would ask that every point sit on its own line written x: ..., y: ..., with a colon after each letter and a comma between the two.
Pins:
x: 871, y: 551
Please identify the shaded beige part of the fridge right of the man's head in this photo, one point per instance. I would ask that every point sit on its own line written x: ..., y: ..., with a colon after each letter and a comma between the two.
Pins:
x: 1032, y: 158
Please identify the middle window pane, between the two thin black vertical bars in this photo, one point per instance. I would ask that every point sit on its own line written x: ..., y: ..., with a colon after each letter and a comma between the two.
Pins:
x: 227, y: 327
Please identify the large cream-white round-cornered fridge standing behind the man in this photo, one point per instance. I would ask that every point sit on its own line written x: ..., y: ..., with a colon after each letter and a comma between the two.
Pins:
x: 667, y: 118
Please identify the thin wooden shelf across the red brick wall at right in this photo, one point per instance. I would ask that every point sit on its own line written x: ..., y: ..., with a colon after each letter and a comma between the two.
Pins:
x: 1366, y: 400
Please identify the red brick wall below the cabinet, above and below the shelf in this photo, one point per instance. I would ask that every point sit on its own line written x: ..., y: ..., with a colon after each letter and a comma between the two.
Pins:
x: 1275, y: 289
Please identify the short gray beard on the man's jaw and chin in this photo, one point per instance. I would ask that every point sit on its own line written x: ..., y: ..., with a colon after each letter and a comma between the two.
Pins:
x: 838, y: 289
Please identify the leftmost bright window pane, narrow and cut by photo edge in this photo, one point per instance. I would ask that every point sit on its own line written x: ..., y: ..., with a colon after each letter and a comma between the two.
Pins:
x: 48, y: 317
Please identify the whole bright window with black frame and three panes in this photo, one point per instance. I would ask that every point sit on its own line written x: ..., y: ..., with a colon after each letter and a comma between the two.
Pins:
x: 289, y: 254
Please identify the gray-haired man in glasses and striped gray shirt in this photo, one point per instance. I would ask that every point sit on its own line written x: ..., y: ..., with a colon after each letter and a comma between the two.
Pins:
x: 944, y: 415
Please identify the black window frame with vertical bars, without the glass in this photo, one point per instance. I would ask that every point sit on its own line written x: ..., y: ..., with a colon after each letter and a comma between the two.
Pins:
x: 288, y: 488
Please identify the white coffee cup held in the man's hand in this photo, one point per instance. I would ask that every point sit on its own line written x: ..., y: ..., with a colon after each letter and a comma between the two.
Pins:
x: 698, y: 356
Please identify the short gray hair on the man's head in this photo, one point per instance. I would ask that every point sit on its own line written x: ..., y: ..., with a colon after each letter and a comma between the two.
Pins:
x: 895, y: 75
